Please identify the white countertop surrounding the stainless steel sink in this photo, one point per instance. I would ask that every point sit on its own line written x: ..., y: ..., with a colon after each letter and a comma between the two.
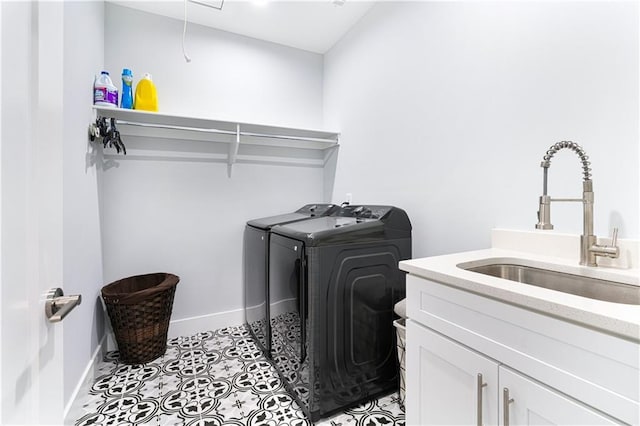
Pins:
x: 615, y: 318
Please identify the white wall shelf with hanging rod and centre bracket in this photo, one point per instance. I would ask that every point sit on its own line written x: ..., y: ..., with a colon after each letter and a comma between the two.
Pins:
x: 247, y: 142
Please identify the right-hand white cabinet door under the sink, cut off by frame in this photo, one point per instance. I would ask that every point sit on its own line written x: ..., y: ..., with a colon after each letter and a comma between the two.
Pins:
x: 534, y: 404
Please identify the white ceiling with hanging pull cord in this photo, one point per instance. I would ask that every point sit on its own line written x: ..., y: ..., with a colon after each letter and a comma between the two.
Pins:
x: 313, y: 25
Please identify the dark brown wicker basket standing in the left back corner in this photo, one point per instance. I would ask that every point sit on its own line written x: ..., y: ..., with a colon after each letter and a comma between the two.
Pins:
x: 140, y: 309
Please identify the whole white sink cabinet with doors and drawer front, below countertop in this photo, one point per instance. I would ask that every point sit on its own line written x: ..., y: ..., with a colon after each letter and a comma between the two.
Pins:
x: 555, y: 372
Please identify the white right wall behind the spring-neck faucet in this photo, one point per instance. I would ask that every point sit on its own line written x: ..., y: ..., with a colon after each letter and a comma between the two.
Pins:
x: 446, y: 109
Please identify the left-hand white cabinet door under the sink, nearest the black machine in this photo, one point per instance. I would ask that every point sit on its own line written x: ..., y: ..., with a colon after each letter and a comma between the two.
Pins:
x: 447, y: 383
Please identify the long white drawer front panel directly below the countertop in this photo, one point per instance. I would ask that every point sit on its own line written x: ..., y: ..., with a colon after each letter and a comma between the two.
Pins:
x: 596, y: 368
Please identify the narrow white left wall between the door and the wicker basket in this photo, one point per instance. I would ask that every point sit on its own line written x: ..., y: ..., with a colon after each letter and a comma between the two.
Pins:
x: 83, y: 54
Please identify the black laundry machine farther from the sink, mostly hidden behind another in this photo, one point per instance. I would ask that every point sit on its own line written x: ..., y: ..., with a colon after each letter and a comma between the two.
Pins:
x: 256, y: 267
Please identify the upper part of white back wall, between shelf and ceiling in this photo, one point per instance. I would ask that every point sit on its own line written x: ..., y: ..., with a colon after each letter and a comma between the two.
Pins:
x: 230, y: 76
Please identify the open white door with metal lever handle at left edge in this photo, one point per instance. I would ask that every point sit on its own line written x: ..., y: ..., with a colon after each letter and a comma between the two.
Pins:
x: 31, y: 36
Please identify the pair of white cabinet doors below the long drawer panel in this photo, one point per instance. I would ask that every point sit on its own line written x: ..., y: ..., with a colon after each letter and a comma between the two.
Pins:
x: 450, y: 384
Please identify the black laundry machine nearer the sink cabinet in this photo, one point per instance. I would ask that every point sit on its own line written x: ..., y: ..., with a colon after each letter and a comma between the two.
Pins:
x: 333, y: 283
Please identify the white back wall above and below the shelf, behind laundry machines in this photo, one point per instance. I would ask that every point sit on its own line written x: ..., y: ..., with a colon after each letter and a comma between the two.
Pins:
x: 186, y: 216
